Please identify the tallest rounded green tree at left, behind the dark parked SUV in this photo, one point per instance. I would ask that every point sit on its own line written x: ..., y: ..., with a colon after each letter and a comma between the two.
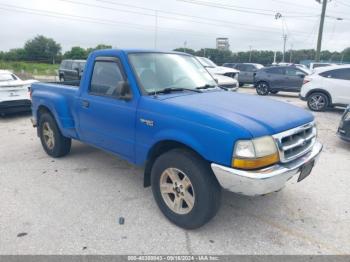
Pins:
x: 42, y: 49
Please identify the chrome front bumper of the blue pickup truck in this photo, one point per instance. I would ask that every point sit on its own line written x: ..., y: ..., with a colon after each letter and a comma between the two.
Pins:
x: 263, y: 181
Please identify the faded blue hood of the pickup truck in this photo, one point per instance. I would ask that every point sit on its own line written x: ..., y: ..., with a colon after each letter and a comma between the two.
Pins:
x: 258, y: 115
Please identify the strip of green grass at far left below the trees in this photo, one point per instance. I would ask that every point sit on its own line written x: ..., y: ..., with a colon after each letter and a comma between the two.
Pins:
x: 30, y: 68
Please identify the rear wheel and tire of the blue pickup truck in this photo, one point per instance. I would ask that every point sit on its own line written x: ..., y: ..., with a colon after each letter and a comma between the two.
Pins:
x: 52, y: 140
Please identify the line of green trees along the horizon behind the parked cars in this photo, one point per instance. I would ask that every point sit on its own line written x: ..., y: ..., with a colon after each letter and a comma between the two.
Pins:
x: 47, y: 50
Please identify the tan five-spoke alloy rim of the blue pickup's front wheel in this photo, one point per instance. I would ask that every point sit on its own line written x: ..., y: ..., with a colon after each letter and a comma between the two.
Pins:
x: 177, y: 191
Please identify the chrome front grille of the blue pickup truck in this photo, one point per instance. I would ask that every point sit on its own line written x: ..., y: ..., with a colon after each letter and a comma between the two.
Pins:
x: 296, y: 142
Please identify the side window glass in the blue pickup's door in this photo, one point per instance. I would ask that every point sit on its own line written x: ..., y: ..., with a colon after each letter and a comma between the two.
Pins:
x: 107, y: 79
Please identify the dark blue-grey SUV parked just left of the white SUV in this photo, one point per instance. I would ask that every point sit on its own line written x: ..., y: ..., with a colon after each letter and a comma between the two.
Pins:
x: 279, y: 78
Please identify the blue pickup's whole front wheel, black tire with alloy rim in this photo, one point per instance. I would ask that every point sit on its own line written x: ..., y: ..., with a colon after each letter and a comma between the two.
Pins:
x: 203, y: 190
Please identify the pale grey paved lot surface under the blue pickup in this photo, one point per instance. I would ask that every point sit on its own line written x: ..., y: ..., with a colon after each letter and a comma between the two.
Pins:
x: 72, y: 205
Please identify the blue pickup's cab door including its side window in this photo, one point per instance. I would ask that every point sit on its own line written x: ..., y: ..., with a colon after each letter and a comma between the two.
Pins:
x: 105, y: 119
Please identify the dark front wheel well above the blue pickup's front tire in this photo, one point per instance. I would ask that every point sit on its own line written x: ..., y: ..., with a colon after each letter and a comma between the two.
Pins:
x: 157, y: 150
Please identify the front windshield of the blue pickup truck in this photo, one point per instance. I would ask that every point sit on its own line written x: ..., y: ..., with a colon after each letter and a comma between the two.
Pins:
x: 159, y: 71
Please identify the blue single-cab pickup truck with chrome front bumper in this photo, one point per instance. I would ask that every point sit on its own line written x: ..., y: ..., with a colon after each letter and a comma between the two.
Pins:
x: 164, y: 111
